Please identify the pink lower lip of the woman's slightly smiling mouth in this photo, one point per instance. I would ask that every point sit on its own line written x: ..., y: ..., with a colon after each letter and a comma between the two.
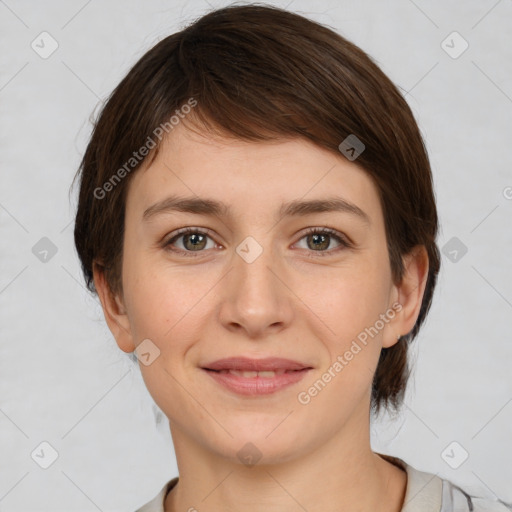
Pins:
x: 254, y: 386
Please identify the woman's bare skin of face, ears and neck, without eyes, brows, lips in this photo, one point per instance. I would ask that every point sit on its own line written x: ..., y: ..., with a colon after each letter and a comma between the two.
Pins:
x: 284, y: 303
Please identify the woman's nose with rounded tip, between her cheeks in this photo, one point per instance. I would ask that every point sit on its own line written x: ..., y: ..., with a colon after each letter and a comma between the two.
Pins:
x: 255, y: 298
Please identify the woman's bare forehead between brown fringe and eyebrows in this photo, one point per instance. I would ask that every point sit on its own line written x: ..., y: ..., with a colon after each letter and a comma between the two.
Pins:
x: 249, y: 177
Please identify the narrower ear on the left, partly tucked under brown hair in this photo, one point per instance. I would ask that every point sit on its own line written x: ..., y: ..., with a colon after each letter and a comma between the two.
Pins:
x: 113, y: 310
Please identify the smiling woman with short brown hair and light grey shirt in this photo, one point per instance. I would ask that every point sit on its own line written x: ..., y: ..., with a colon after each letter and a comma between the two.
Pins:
x: 257, y: 216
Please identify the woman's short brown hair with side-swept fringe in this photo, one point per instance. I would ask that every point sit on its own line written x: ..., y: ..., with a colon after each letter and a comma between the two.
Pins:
x: 258, y: 72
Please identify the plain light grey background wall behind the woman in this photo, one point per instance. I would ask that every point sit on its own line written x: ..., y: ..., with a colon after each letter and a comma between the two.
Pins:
x: 62, y: 378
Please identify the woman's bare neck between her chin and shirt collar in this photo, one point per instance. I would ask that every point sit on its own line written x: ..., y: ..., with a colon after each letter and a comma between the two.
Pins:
x: 340, y: 474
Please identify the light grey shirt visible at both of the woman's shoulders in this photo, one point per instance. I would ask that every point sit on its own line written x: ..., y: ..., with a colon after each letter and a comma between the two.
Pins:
x: 424, y: 492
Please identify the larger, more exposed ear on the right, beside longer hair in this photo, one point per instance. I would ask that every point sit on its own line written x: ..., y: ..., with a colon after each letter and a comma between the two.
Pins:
x: 408, y: 294
